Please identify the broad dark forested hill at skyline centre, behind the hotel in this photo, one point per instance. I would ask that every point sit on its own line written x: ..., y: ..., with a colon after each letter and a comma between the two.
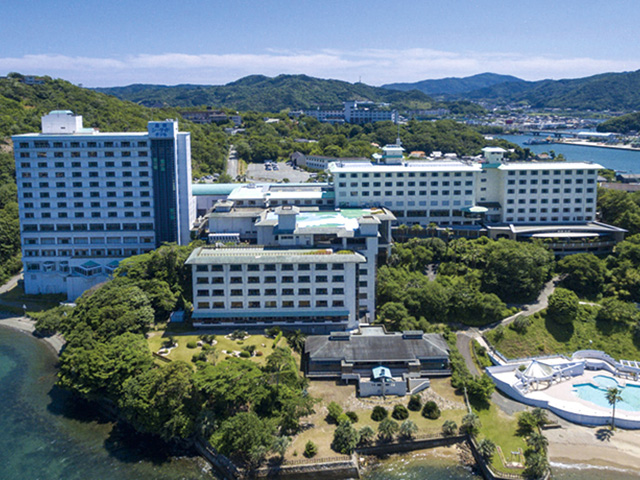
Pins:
x: 265, y: 94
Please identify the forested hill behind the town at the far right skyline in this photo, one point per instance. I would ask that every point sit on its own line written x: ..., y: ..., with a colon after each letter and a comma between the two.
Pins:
x: 607, y: 91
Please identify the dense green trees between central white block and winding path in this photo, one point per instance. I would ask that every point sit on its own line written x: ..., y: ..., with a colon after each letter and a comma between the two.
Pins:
x: 469, y: 273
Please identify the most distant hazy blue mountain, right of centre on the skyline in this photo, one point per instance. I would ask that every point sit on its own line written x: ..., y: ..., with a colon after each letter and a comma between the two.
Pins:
x: 454, y: 85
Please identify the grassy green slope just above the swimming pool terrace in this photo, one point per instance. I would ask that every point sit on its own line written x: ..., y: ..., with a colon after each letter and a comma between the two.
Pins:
x: 543, y: 337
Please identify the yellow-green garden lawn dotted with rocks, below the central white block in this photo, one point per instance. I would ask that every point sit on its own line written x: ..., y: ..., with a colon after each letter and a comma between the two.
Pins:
x: 181, y: 352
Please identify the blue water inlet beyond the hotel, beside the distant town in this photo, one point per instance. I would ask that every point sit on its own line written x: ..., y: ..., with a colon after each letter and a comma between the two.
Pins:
x: 621, y: 160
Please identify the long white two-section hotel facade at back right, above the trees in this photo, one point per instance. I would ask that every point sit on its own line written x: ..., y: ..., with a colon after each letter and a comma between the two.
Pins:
x: 425, y: 192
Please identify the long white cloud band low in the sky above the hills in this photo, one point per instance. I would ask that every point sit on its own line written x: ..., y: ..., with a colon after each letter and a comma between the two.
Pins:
x: 374, y: 66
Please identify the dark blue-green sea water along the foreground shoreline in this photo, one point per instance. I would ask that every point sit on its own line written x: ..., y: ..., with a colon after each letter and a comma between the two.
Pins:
x: 46, y: 435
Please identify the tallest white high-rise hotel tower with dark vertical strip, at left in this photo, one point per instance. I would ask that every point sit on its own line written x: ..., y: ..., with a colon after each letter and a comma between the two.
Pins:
x: 89, y: 199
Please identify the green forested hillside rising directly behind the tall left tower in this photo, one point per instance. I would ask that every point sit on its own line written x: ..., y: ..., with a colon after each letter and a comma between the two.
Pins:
x: 22, y: 105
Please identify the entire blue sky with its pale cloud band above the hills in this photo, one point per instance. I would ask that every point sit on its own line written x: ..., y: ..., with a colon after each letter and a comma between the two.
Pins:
x: 117, y: 42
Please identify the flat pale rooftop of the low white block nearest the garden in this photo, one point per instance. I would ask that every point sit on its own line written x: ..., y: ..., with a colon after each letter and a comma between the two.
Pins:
x: 264, y: 255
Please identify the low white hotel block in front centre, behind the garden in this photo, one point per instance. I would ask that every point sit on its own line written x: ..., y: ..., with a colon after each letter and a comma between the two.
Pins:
x: 258, y: 287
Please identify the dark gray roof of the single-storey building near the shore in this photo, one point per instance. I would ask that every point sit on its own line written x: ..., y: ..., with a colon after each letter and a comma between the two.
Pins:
x: 376, y: 346
